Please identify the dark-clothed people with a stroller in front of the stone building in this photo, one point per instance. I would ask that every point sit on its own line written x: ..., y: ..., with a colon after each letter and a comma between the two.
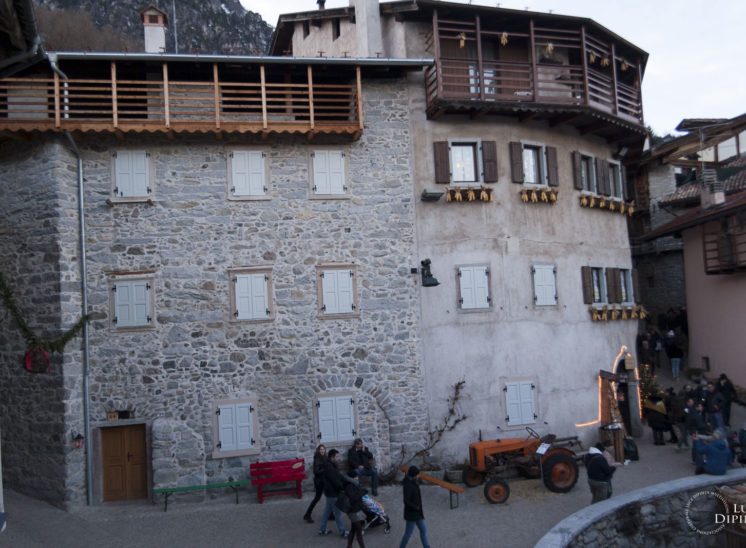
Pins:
x: 344, y: 494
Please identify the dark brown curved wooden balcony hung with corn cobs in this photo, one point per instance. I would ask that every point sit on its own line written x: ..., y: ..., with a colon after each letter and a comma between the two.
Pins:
x: 524, y: 70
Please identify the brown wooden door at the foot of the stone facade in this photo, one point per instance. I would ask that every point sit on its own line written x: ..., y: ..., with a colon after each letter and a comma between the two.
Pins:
x: 124, y: 462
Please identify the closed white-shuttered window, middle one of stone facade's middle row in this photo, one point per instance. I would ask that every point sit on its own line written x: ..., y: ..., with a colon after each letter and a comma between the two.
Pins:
x: 251, y: 293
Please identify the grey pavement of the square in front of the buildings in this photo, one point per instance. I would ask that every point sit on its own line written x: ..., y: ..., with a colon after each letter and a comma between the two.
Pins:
x: 528, y: 514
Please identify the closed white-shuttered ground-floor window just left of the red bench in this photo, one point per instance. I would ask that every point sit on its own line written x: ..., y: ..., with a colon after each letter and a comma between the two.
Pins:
x: 235, y: 428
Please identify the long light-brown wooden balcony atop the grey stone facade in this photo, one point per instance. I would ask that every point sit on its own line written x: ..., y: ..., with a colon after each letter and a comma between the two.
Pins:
x: 171, y: 98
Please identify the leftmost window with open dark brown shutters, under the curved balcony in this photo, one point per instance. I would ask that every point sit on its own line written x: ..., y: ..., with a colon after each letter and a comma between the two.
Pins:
x: 465, y: 162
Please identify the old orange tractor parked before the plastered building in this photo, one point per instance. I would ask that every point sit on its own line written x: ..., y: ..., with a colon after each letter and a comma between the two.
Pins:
x: 557, y: 466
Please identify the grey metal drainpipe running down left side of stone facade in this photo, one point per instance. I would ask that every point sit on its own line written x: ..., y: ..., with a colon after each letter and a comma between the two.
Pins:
x: 84, y: 305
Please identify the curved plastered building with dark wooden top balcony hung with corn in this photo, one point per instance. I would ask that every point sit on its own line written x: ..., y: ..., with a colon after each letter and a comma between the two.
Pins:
x: 520, y: 132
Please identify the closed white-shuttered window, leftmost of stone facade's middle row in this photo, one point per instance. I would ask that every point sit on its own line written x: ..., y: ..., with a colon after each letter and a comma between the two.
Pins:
x: 132, y: 301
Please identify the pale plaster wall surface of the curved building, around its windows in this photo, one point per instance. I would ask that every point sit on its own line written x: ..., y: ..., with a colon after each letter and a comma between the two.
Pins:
x: 558, y: 347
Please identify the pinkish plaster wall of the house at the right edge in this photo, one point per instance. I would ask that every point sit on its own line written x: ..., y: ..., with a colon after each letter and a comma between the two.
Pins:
x: 716, y: 310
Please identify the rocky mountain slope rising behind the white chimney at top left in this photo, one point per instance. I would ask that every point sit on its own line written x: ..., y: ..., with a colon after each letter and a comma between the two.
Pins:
x: 199, y: 26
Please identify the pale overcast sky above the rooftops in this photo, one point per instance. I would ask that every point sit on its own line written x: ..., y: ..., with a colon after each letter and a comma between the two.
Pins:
x: 694, y: 70
